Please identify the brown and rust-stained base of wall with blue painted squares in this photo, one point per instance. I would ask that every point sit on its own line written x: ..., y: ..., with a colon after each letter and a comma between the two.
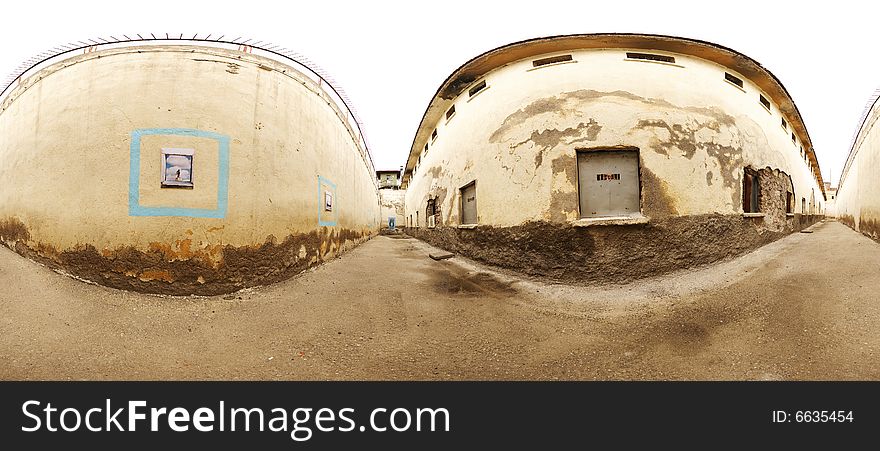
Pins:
x: 161, y: 270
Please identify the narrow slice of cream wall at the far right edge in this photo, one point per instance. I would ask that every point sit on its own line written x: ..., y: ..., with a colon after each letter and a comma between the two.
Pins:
x: 857, y: 202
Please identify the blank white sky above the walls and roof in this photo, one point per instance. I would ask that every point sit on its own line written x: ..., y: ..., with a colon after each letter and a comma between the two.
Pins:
x: 390, y: 57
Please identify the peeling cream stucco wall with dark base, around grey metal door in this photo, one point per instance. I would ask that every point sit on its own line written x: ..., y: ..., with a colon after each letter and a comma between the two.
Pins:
x: 695, y: 132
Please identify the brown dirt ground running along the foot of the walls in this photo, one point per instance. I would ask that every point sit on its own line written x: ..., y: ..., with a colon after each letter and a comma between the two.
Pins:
x: 804, y: 307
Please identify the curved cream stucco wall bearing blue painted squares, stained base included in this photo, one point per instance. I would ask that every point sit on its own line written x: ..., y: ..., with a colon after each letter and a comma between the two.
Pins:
x: 80, y: 162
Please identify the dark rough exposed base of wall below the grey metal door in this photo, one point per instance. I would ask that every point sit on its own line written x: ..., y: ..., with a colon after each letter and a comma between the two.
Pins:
x: 610, y: 254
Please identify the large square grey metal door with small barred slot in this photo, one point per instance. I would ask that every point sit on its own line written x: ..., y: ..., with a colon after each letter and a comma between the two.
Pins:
x: 608, y: 183
